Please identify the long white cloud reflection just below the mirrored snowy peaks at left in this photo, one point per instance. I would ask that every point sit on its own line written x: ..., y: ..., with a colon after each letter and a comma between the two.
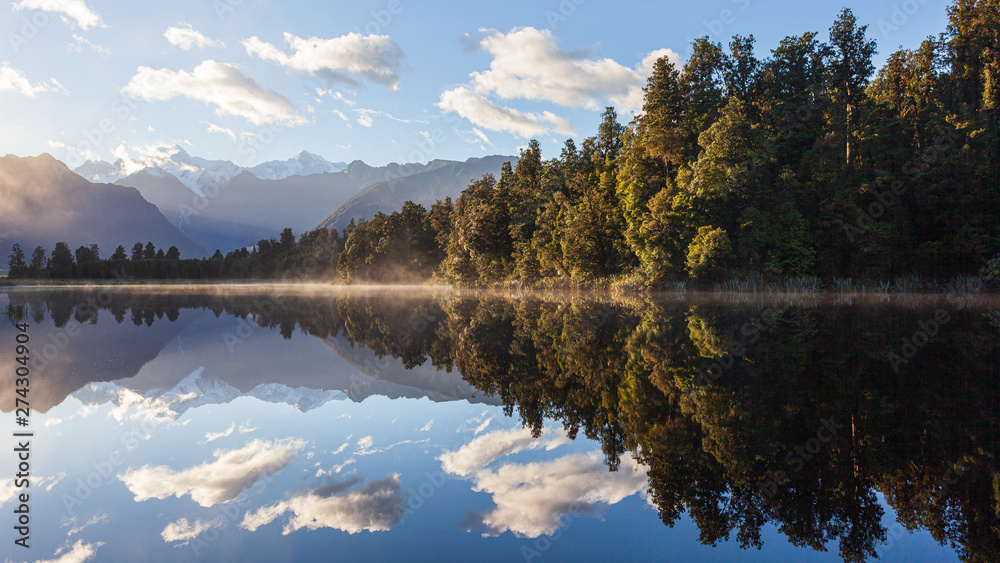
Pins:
x: 222, y: 480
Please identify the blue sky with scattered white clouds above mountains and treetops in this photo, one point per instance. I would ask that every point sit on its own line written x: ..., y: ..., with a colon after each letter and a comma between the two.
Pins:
x: 379, y: 80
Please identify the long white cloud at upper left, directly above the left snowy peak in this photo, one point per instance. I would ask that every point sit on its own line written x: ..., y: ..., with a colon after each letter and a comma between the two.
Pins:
x: 219, y: 84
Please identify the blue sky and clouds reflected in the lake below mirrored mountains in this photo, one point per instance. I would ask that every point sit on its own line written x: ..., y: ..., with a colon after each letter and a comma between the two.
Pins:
x: 253, y: 478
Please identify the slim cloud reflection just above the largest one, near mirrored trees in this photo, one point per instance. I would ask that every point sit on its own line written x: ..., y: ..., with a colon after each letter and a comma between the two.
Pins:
x: 481, y: 451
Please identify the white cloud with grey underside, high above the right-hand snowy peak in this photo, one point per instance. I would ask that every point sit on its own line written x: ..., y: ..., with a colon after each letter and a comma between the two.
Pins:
x: 377, y: 58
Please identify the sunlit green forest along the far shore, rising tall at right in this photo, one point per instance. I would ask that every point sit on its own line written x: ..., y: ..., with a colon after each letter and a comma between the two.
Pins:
x: 805, y: 163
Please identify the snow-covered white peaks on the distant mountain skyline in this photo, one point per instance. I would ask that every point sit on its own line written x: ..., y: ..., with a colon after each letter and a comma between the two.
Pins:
x: 199, y: 173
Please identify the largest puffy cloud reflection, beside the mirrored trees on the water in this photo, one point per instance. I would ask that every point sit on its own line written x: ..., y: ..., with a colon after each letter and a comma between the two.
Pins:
x: 532, y: 498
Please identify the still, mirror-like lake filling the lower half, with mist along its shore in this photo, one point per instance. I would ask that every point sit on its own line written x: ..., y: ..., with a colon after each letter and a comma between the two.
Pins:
x: 281, y: 424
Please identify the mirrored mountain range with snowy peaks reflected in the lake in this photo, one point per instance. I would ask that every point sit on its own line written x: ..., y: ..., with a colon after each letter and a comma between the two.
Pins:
x: 202, y: 358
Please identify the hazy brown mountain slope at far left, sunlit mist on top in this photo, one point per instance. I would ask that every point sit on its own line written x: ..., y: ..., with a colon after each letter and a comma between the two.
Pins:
x: 43, y: 202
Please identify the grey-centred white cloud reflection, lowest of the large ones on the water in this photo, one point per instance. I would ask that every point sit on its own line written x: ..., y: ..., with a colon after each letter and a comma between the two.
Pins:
x: 376, y: 507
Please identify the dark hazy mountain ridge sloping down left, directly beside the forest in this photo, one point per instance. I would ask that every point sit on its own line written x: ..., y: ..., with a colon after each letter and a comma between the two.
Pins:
x: 444, y: 179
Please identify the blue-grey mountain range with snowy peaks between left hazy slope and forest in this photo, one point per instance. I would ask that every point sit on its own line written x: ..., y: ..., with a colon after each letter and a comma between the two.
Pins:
x: 221, y: 205
